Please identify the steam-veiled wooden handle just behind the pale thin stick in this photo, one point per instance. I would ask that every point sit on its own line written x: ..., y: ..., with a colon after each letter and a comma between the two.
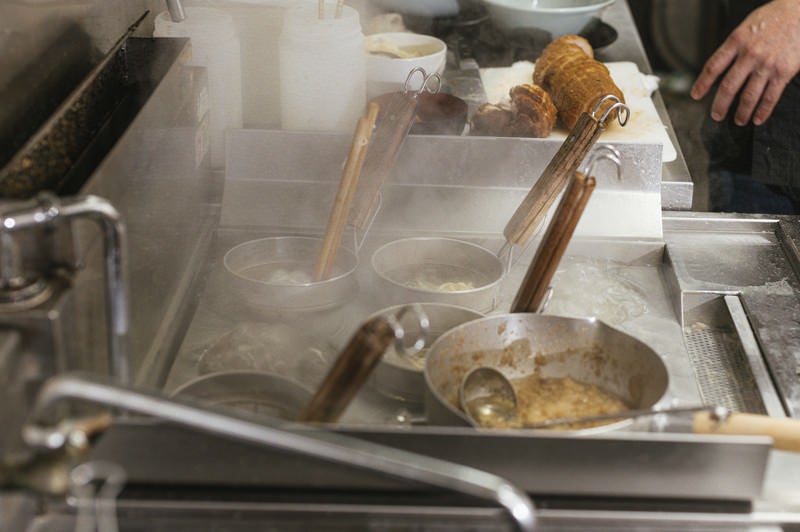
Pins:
x: 391, y: 130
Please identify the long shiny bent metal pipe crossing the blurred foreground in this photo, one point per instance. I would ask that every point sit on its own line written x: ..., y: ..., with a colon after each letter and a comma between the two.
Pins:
x: 276, y: 434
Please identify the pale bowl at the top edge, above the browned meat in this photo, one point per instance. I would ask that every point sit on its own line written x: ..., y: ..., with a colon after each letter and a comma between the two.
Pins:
x: 559, y: 17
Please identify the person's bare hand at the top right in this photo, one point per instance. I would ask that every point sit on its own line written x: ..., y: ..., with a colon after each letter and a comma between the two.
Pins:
x: 761, y: 56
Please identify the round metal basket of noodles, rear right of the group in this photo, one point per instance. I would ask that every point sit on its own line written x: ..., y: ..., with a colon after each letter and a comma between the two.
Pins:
x: 427, y: 269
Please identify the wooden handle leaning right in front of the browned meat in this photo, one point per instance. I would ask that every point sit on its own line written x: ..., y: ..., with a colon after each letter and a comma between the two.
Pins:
x: 555, y: 176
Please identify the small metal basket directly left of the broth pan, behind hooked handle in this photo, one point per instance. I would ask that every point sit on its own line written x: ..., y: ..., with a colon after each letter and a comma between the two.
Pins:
x: 402, y: 377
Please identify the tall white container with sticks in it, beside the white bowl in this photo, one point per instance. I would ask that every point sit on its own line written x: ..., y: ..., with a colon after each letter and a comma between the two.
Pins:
x: 322, y: 68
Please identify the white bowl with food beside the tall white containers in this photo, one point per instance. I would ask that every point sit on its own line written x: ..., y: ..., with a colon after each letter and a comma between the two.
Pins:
x: 388, y: 74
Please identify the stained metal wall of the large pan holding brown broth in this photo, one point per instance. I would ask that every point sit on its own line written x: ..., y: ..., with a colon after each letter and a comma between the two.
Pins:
x: 584, y: 349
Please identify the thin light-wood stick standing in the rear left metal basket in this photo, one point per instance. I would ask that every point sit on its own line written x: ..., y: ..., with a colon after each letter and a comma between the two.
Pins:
x: 344, y: 194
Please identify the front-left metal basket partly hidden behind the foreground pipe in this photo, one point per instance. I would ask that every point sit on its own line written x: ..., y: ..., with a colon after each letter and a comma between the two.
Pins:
x: 258, y: 392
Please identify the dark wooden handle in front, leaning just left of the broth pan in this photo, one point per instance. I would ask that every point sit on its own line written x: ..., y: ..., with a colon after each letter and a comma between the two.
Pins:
x: 351, y: 369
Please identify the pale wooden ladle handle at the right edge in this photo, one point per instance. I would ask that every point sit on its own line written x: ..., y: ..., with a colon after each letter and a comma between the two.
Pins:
x: 784, y: 431
